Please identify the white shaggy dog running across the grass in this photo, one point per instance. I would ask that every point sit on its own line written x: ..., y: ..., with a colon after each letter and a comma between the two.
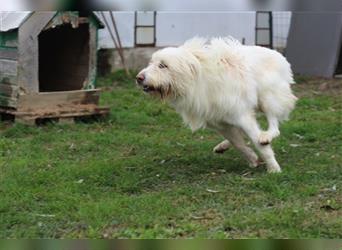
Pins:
x: 220, y: 84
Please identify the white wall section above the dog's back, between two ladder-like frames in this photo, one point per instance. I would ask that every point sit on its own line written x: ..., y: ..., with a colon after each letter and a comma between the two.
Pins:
x: 173, y: 28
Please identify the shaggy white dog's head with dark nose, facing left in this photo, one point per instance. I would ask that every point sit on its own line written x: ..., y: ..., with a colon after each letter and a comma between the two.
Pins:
x: 169, y: 73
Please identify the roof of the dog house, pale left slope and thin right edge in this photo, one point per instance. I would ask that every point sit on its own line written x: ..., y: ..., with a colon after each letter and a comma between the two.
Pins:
x: 10, y: 20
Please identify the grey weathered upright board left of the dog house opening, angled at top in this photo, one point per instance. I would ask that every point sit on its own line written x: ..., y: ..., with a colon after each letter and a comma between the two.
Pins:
x: 28, y: 50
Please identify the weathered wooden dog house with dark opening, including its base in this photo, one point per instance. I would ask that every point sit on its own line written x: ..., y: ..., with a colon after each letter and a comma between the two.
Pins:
x: 48, y: 65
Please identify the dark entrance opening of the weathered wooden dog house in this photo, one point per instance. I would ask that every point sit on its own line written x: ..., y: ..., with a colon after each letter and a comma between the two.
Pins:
x: 63, y: 58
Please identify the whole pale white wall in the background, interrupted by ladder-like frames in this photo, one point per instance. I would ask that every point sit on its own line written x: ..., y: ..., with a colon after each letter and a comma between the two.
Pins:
x: 173, y: 28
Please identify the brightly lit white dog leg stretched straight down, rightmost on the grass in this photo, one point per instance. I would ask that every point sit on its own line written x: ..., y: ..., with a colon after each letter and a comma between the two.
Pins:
x: 251, y: 128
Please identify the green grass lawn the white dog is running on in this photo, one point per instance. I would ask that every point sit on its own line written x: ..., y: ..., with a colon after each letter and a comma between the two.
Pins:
x: 142, y: 174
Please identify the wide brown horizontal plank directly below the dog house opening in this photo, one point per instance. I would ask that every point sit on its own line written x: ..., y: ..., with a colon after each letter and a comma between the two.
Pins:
x: 58, y: 99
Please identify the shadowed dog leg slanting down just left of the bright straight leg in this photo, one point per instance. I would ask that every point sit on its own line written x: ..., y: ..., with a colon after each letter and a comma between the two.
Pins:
x: 235, y: 137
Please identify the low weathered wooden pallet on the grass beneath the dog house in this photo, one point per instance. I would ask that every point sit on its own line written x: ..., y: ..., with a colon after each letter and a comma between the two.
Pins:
x: 63, y: 115
